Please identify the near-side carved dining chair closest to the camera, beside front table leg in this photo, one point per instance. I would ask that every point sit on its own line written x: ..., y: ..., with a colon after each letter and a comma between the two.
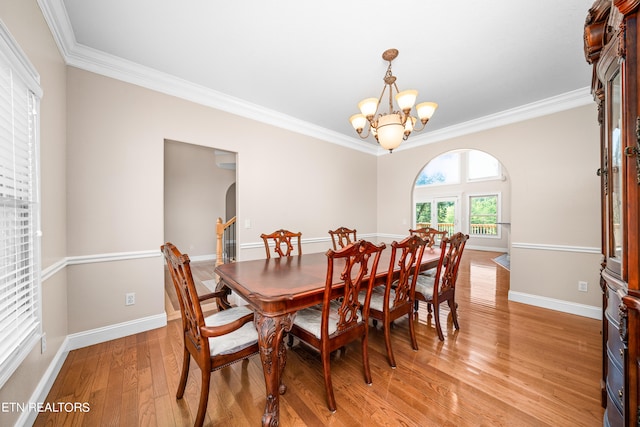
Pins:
x: 341, y: 319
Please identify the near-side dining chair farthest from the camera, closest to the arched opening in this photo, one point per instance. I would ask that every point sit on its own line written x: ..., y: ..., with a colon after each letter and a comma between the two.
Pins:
x: 441, y: 287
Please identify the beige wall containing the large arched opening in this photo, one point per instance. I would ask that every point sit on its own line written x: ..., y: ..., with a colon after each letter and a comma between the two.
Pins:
x: 555, y: 210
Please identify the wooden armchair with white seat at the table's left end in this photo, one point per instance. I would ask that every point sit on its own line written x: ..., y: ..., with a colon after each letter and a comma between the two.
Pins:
x: 215, y: 341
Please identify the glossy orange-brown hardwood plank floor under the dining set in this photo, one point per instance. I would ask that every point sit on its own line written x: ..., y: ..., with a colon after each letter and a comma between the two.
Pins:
x: 509, y: 365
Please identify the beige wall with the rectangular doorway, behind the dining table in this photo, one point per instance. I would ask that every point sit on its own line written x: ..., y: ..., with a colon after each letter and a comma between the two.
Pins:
x: 116, y: 188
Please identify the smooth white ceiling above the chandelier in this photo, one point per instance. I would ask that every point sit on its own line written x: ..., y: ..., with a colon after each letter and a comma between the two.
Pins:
x: 305, y: 66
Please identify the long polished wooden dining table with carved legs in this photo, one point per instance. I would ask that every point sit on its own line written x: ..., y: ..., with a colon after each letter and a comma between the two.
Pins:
x: 276, y: 289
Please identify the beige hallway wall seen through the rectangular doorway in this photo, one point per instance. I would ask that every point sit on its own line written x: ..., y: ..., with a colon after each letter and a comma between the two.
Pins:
x: 195, y: 190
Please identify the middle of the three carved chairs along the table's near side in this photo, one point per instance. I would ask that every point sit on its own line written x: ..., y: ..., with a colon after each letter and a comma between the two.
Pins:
x: 396, y: 298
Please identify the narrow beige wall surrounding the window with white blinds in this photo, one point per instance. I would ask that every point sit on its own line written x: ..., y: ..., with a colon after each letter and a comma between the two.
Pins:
x: 26, y: 24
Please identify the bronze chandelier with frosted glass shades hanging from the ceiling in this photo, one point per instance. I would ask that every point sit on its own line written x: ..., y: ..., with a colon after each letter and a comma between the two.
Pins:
x: 391, y: 128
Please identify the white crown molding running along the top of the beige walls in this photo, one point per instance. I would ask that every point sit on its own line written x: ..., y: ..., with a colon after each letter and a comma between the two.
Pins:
x: 83, y: 57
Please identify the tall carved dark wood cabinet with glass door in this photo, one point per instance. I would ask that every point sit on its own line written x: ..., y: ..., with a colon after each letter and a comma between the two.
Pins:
x: 610, y: 45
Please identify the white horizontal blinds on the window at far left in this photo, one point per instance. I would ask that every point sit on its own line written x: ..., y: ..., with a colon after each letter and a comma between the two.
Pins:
x: 20, y: 312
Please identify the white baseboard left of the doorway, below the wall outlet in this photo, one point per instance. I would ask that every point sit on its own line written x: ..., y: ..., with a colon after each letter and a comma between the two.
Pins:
x: 119, y: 330
